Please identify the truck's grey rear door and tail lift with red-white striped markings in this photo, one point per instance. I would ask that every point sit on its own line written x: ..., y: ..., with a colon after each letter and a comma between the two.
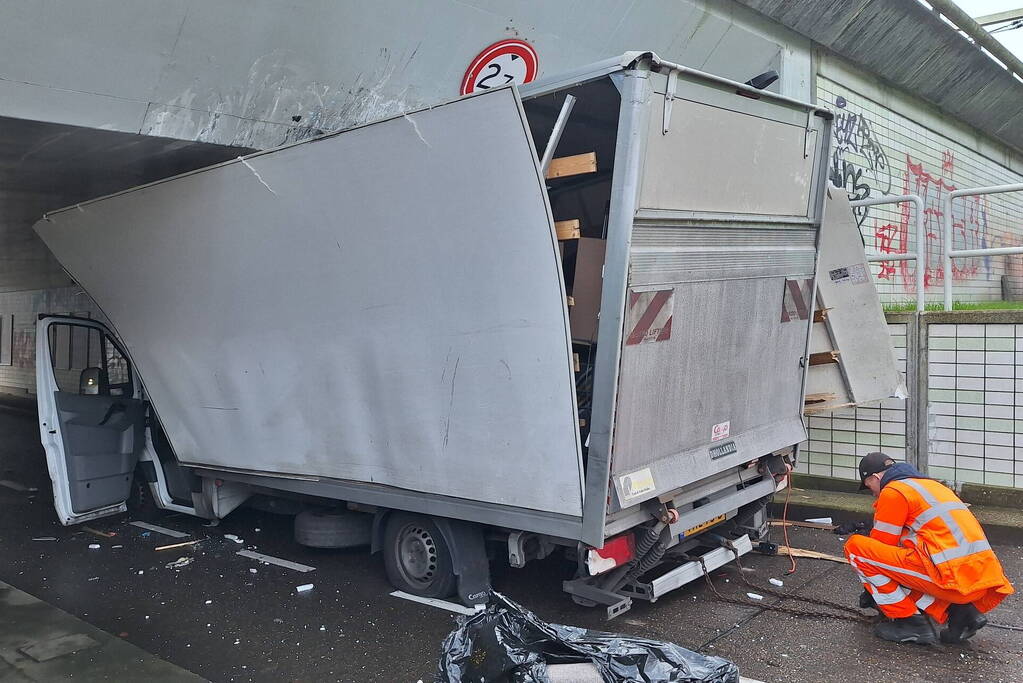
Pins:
x: 720, y: 287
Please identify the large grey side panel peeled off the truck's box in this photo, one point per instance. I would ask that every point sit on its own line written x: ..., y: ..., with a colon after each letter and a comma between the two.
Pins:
x: 380, y: 306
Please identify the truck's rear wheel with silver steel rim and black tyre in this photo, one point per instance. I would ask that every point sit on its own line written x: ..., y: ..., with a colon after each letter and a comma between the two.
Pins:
x: 417, y: 558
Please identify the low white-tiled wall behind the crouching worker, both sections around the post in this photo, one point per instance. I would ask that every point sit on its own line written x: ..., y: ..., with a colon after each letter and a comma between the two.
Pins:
x: 974, y: 408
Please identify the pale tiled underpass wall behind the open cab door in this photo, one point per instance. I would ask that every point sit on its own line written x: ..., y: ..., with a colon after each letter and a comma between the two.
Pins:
x: 19, y: 313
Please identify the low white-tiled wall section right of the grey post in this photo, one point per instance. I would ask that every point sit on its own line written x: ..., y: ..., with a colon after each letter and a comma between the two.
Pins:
x: 975, y: 423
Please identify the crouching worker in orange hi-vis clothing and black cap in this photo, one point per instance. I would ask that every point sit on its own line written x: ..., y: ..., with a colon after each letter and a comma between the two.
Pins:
x: 926, y: 556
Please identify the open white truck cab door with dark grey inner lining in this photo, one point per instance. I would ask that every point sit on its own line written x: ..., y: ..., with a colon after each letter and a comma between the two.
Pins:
x: 92, y: 419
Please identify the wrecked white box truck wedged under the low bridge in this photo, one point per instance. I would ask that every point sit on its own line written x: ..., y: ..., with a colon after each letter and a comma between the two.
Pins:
x: 427, y: 321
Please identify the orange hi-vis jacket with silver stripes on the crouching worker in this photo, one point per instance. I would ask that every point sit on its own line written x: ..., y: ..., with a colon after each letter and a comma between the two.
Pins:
x: 929, y: 517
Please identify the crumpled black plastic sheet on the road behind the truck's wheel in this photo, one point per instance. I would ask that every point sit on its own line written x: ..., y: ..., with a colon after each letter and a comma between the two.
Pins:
x: 508, y: 644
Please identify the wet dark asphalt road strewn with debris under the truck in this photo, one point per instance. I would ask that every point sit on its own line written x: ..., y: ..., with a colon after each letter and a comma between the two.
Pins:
x: 217, y: 619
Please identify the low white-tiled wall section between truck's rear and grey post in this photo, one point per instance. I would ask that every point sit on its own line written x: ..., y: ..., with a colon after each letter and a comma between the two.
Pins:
x: 838, y: 440
